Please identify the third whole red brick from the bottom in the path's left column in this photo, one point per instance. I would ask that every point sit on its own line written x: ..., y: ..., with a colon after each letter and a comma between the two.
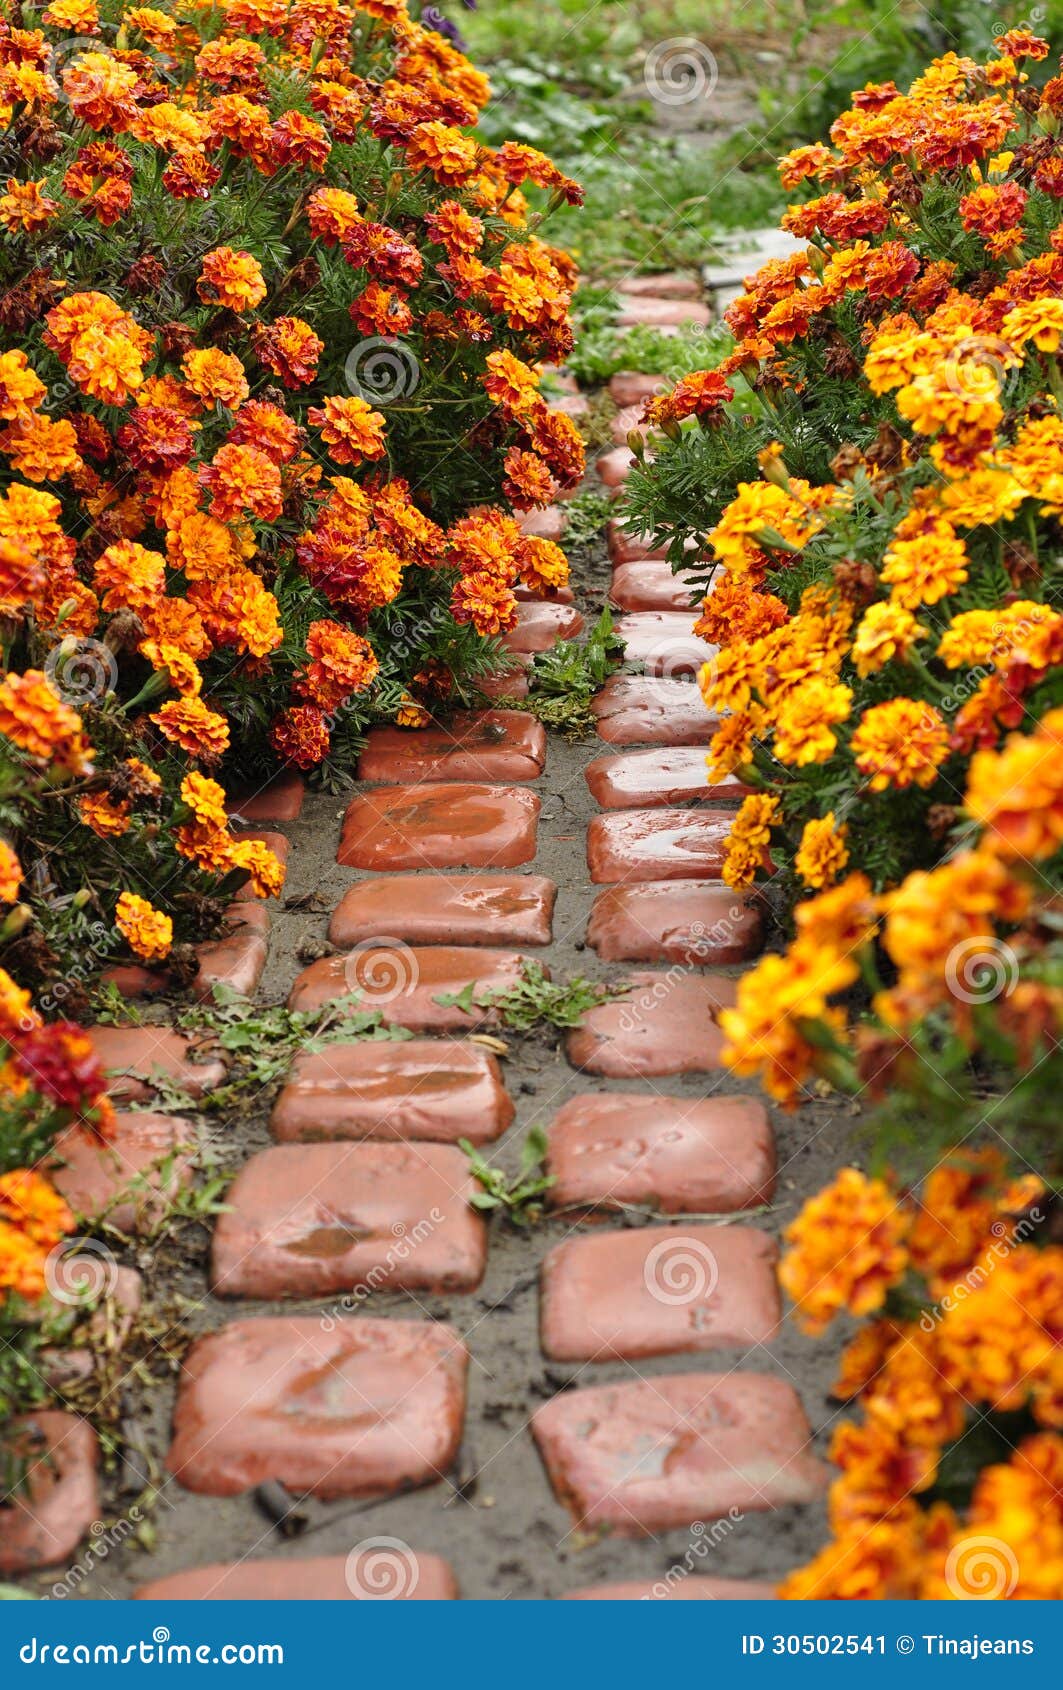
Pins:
x: 412, y: 1089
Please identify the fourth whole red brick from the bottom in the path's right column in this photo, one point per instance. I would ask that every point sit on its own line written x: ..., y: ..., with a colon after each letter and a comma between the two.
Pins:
x: 662, y: 1027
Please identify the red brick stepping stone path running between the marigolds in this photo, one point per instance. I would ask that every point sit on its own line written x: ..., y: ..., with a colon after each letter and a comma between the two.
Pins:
x: 368, y: 1333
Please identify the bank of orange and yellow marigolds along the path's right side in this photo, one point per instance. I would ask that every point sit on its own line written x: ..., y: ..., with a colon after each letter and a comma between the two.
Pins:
x: 878, y: 471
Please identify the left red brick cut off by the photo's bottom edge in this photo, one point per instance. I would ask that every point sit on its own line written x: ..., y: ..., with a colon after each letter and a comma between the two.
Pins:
x: 383, y: 1571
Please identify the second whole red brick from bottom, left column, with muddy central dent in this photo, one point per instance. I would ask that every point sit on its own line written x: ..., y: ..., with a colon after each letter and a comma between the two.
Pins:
x: 319, y: 1219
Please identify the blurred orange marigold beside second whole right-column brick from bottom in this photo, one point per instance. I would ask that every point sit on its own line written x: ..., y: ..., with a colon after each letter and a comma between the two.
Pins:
x: 846, y: 1250
